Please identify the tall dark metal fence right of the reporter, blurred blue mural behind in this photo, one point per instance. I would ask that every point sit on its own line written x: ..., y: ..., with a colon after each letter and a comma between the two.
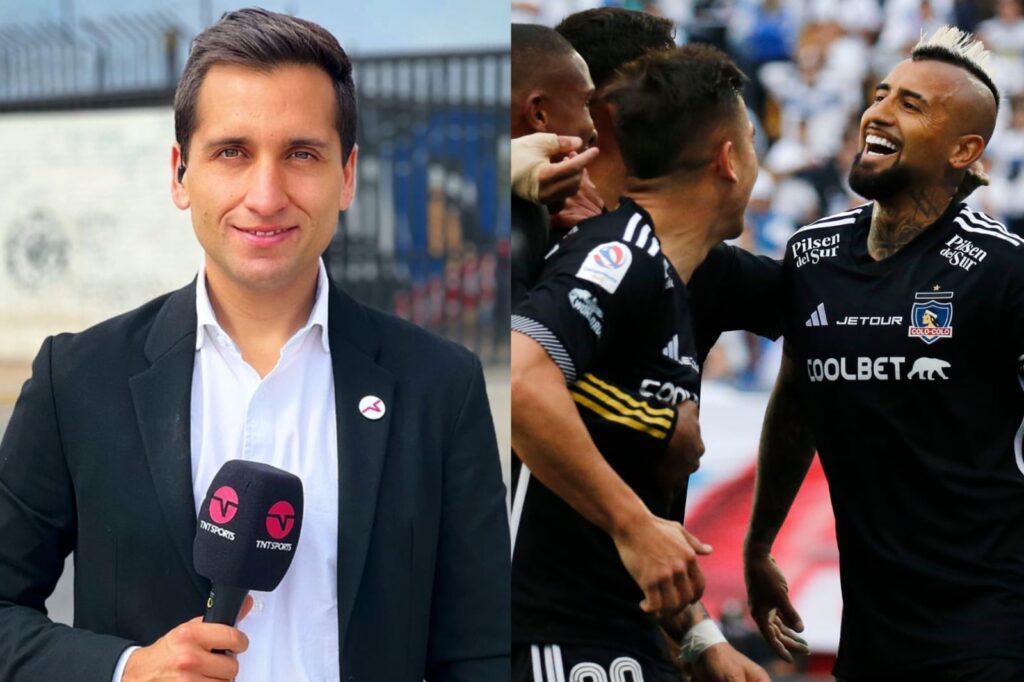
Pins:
x: 429, y: 236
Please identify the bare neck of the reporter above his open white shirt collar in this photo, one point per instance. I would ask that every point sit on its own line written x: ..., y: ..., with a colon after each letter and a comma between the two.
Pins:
x: 261, y: 323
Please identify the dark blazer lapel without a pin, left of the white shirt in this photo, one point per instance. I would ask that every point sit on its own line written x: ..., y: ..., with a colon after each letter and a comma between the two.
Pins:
x: 162, y: 396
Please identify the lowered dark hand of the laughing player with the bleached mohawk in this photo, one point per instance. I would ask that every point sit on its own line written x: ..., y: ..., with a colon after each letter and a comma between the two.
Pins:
x: 769, y: 595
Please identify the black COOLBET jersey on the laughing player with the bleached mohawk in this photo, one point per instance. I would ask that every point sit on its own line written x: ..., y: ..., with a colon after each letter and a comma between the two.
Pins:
x: 911, y: 377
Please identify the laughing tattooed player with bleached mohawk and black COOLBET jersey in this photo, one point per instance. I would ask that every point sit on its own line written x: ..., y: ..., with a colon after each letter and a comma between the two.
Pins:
x: 905, y: 327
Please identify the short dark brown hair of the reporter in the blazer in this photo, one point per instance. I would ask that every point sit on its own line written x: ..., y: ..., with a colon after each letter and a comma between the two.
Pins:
x: 264, y: 40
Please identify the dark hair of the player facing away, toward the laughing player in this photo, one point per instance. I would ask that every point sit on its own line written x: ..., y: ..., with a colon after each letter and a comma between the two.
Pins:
x: 668, y: 104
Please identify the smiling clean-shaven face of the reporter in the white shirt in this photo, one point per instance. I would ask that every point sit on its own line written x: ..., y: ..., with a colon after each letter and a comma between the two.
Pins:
x: 265, y: 178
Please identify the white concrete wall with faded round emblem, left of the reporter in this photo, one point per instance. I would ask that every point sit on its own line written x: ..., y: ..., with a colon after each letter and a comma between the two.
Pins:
x: 88, y: 227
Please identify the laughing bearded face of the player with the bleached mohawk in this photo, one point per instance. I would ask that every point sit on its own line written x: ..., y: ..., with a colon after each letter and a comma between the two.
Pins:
x: 915, y: 132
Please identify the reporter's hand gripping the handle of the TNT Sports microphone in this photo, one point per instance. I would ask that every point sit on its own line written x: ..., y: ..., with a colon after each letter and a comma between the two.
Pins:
x: 186, y: 654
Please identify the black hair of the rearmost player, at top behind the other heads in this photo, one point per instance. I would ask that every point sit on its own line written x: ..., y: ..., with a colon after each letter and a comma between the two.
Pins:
x: 609, y: 38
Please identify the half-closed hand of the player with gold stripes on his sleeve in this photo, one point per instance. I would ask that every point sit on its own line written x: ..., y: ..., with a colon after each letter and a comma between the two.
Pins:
x: 662, y: 558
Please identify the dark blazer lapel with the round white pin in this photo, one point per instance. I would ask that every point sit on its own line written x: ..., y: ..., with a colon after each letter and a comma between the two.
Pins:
x: 362, y: 442
